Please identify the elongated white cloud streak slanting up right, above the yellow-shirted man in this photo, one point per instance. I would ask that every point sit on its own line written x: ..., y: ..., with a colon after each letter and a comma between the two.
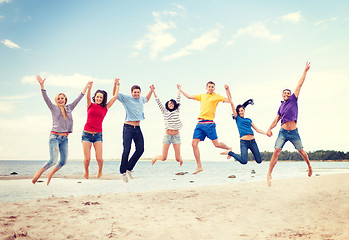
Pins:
x: 198, y: 44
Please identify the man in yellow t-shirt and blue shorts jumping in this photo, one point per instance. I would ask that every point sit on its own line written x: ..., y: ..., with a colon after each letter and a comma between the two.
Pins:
x: 206, y: 126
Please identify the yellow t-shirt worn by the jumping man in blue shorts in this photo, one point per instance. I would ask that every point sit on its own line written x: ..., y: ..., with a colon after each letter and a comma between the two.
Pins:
x: 208, y: 105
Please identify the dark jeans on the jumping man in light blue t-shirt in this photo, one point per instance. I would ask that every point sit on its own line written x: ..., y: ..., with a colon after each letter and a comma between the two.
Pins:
x: 131, y: 133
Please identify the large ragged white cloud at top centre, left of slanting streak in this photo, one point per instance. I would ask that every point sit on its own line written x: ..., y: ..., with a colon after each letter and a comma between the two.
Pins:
x: 157, y: 38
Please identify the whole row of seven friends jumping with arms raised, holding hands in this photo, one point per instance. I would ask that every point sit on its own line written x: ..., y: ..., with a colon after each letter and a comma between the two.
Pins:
x: 98, y: 106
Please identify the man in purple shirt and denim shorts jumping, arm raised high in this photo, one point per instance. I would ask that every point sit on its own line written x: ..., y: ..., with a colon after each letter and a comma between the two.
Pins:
x: 288, y: 113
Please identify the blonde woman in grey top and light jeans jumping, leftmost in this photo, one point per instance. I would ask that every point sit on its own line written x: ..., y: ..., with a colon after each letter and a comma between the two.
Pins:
x: 62, y: 125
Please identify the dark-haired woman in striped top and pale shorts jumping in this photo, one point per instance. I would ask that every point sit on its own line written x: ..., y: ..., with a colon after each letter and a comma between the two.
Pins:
x: 172, y: 125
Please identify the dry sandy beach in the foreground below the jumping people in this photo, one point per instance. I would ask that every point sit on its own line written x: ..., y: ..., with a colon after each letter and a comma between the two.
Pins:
x: 302, y: 208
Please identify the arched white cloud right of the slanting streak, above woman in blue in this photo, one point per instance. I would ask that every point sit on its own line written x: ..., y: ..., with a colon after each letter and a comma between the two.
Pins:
x: 257, y: 30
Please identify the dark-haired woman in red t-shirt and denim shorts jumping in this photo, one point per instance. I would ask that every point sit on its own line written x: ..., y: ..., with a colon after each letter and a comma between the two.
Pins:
x: 92, y: 133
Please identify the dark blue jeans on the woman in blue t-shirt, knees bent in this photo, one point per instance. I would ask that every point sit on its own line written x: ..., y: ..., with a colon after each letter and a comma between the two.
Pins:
x: 244, y: 146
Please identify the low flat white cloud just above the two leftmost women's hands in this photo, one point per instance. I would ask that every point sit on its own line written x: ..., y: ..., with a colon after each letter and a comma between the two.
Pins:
x: 73, y: 81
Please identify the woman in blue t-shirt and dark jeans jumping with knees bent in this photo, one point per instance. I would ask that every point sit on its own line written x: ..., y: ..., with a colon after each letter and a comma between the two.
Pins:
x: 245, y: 125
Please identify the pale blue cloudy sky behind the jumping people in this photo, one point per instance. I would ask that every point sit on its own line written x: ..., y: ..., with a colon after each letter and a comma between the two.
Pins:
x: 256, y: 47
